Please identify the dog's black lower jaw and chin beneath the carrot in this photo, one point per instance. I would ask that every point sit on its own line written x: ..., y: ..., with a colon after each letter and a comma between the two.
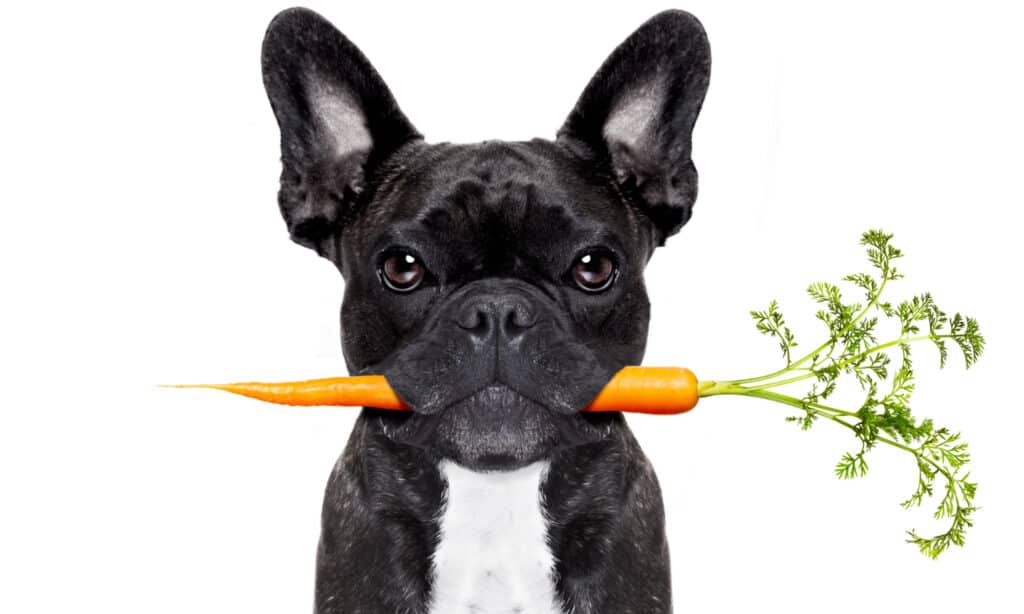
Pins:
x: 499, y: 429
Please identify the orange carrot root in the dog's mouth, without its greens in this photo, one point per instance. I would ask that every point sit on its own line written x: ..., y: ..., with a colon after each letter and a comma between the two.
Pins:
x: 635, y: 389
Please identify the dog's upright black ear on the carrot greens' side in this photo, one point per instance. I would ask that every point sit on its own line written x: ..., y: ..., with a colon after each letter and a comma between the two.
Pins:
x: 638, y: 113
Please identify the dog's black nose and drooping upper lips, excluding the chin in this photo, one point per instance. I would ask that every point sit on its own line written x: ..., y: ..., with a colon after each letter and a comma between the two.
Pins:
x: 497, y: 334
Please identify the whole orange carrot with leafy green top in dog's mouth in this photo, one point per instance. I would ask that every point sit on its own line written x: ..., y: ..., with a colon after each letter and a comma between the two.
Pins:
x: 851, y: 349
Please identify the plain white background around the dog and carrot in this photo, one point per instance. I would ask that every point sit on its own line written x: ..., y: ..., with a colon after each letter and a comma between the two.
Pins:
x: 142, y: 245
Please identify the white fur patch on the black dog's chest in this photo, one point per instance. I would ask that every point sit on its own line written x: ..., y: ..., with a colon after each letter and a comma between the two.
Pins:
x: 493, y: 557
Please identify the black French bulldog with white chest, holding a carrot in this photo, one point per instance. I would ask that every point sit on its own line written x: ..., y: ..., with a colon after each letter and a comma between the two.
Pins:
x: 498, y: 286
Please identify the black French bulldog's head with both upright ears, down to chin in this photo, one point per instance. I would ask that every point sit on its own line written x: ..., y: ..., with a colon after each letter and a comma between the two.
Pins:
x: 499, y: 286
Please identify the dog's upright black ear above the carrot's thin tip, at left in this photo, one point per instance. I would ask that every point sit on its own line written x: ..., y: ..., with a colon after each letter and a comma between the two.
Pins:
x: 338, y: 122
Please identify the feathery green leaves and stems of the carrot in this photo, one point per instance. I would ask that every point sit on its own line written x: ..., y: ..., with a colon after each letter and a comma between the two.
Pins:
x: 854, y: 350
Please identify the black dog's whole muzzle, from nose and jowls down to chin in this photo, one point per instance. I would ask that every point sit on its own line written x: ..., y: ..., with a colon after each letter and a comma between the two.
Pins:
x: 497, y: 379
